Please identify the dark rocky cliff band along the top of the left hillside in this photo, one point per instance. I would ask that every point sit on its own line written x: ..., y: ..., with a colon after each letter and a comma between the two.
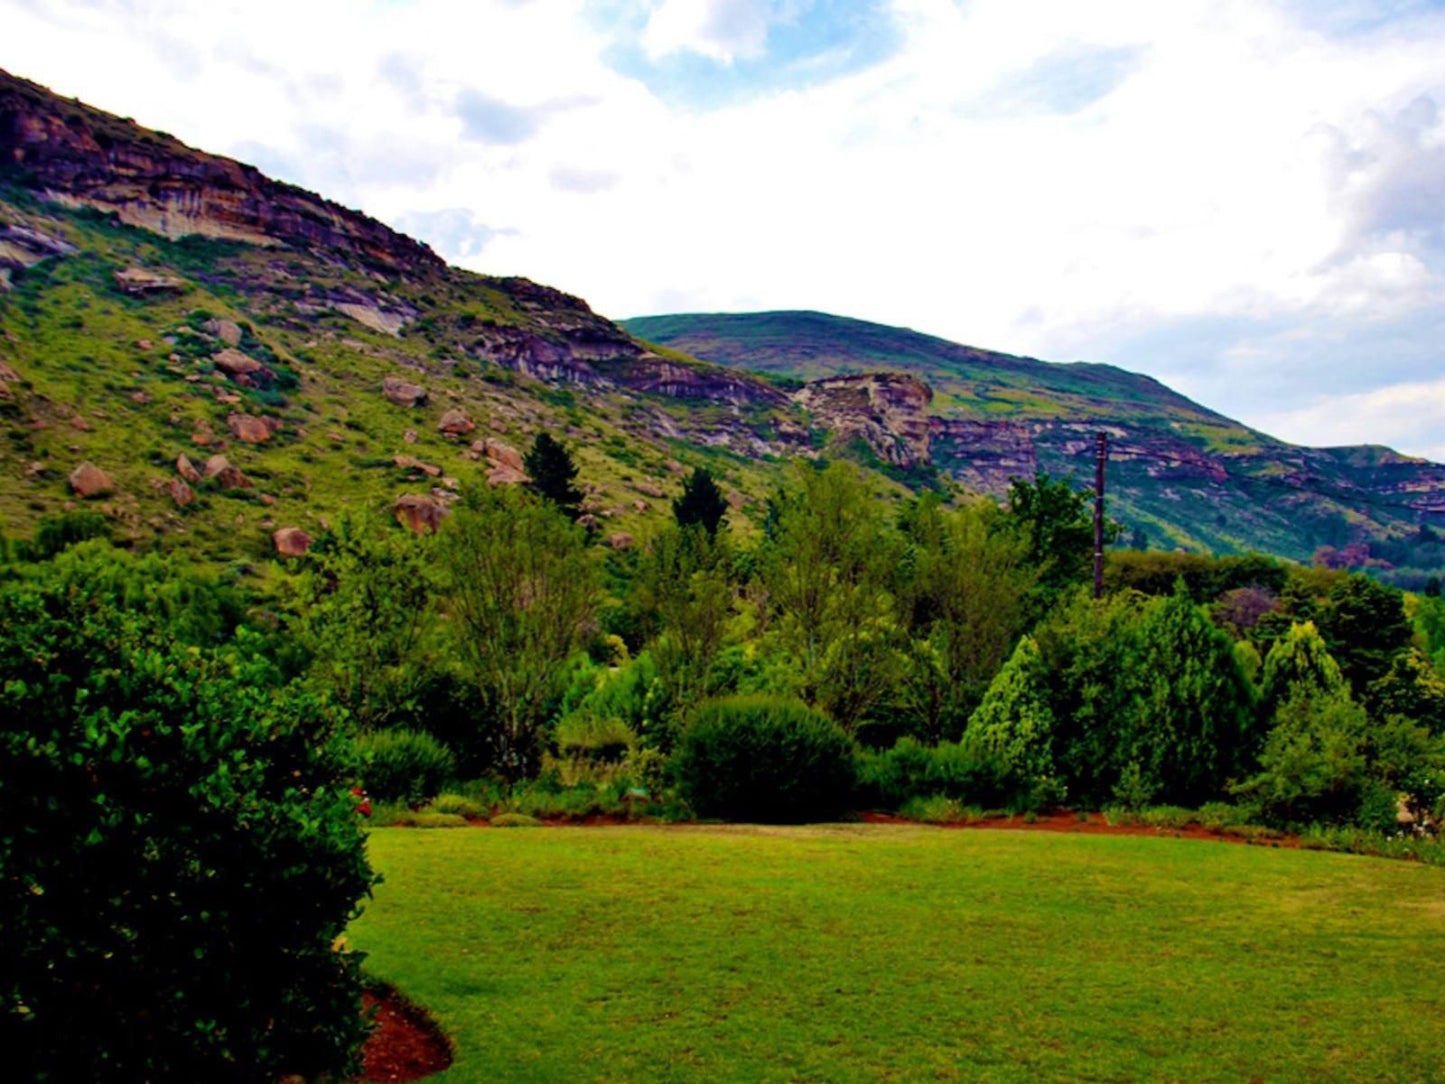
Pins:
x: 85, y: 158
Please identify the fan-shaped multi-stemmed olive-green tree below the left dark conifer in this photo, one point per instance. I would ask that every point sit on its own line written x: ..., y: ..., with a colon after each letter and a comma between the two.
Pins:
x: 521, y: 592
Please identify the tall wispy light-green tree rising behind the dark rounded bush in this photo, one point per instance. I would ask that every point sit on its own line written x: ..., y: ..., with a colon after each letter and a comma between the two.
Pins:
x: 827, y: 569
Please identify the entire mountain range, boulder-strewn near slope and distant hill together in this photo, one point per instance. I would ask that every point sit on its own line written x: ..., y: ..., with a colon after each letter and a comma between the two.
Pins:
x: 225, y: 364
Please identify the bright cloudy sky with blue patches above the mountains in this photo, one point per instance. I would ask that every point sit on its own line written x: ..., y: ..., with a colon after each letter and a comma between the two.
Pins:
x: 1243, y: 200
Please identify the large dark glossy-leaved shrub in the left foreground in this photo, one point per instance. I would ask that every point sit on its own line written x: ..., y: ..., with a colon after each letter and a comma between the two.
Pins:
x: 180, y: 851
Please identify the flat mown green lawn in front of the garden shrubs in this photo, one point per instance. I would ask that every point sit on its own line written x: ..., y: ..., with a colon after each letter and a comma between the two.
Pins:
x: 908, y: 953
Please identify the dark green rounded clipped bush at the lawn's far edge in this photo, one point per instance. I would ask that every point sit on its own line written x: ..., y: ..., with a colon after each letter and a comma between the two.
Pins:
x: 765, y: 760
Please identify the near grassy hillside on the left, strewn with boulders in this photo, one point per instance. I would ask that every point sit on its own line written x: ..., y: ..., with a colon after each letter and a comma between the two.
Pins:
x: 209, y: 358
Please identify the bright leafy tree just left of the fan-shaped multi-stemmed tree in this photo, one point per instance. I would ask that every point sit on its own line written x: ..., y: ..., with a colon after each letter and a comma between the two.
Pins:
x: 365, y: 608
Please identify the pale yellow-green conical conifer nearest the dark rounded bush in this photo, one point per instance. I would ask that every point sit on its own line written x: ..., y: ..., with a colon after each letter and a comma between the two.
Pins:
x: 1014, y: 728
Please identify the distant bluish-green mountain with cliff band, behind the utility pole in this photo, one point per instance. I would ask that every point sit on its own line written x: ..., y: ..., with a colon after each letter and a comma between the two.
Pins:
x: 1178, y: 472
